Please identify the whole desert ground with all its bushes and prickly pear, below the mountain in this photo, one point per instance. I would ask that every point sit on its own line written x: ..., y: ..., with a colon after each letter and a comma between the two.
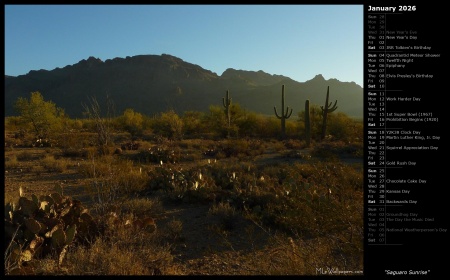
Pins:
x: 159, y: 197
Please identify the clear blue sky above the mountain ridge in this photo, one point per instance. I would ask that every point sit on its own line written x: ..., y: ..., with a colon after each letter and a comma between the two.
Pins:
x: 298, y: 41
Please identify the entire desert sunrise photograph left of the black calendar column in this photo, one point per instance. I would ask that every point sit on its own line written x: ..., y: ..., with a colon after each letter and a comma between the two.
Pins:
x: 184, y: 140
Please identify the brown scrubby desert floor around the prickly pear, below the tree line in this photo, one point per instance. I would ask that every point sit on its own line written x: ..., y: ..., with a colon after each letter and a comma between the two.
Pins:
x: 221, y: 207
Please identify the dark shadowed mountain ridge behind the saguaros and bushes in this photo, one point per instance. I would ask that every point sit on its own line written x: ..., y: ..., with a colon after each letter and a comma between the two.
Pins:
x: 156, y: 83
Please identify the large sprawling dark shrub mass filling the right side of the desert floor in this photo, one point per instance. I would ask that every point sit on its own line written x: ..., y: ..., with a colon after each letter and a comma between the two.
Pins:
x: 313, y: 200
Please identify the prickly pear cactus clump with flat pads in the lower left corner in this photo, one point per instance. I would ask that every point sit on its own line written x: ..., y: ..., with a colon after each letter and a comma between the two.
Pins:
x: 49, y: 224
